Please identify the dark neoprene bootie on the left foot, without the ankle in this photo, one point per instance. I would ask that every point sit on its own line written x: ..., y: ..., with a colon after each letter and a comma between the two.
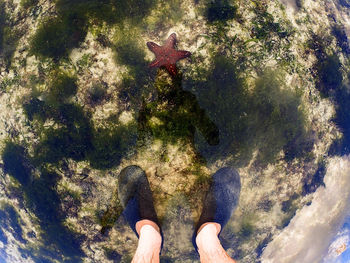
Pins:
x: 135, y: 195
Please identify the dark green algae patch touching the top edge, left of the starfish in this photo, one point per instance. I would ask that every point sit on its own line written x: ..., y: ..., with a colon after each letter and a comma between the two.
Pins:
x: 55, y: 37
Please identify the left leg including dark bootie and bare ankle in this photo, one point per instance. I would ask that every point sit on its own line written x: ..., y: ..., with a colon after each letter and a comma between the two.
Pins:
x: 136, y: 197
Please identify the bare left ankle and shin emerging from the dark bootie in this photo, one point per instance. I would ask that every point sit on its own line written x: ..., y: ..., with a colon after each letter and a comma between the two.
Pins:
x: 149, y: 243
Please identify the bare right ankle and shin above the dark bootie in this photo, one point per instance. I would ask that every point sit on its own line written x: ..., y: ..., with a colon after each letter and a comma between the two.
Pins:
x: 209, y: 246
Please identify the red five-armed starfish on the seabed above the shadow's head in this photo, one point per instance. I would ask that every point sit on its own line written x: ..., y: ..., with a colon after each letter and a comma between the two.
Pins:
x: 167, y: 55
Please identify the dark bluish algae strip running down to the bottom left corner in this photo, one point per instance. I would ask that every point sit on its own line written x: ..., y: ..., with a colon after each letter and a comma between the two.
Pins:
x: 42, y: 199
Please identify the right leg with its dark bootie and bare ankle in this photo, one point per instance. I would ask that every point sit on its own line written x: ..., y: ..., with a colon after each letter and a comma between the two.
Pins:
x: 219, y: 204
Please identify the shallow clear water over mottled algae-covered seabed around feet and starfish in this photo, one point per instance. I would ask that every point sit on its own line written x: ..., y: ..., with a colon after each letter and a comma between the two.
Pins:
x: 79, y: 103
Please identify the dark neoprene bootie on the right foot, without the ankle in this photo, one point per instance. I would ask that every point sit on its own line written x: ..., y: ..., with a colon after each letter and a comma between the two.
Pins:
x: 221, y: 199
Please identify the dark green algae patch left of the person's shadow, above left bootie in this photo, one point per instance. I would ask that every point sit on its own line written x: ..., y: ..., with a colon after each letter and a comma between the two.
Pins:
x: 74, y: 135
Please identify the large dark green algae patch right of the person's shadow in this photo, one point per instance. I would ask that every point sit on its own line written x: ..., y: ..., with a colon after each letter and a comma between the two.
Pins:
x: 267, y: 119
